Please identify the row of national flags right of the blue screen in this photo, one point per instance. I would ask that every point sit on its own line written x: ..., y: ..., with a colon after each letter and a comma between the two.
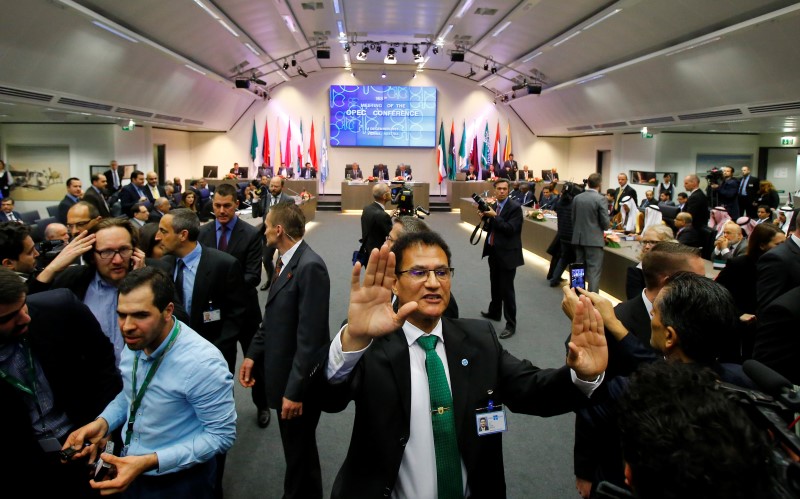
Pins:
x: 450, y: 161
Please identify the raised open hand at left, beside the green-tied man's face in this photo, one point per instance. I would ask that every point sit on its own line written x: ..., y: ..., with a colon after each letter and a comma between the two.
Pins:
x: 370, y: 313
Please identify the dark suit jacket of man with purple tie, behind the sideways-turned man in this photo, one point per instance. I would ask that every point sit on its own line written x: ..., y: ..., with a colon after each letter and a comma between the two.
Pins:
x: 244, y: 244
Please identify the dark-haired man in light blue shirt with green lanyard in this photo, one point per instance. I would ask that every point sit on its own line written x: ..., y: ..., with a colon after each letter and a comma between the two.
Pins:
x: 184, y: 413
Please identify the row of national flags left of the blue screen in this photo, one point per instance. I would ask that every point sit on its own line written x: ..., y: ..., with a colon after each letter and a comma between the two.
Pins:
x: 297, y: 153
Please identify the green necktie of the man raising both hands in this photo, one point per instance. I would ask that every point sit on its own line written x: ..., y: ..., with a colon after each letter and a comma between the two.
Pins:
x: 448, y: 460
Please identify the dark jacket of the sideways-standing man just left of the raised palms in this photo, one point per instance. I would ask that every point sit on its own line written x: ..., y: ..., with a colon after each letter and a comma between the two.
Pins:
x: 294, y: 334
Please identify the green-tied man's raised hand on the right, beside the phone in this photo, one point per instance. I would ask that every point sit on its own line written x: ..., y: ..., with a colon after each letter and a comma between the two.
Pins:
x: 588, y: 350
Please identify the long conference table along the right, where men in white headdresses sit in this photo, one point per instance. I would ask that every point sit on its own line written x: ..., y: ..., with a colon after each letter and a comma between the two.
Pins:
x: 537, y: 237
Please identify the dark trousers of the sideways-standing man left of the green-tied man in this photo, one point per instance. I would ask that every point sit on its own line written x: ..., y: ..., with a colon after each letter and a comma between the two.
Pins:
x: 303, y: 477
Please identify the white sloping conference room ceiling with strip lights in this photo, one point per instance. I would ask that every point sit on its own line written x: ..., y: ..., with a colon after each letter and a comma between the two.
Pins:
x: 604, y: 66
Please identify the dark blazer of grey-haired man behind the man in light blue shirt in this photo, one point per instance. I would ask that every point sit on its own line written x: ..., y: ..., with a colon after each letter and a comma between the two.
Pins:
x: 219, y: 282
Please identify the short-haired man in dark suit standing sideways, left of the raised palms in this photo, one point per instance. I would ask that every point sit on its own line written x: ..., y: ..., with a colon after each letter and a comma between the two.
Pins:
x: 292, y: 335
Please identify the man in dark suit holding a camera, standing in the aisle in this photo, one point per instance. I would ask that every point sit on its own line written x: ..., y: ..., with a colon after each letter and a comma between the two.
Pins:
x: 503, y: 246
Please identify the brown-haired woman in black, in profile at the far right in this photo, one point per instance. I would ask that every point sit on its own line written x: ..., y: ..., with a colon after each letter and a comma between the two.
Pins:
x: 740, y: 277
